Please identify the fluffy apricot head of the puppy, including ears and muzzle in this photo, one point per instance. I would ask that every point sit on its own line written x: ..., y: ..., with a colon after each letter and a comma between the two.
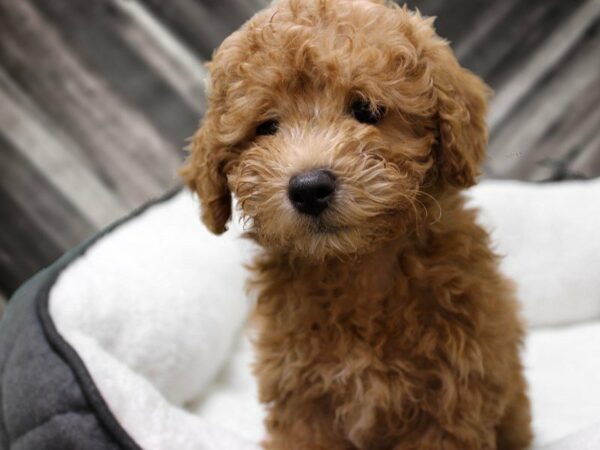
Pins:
x: 333, y: 122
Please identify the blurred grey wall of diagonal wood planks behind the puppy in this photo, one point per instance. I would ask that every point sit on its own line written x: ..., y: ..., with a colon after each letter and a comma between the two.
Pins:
x: 97, y: 99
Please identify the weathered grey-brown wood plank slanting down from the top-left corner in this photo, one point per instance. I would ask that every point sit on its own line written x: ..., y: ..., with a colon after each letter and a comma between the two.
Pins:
x: 118, y: 140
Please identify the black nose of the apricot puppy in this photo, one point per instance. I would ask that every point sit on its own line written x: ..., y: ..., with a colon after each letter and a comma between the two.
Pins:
x: 311, y: 192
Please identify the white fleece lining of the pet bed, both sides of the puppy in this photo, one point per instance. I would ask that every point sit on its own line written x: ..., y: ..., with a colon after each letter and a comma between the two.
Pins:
x: 156, y: 311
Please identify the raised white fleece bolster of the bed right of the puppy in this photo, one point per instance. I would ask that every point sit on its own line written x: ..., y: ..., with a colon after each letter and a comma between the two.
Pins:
x: 548, y: 235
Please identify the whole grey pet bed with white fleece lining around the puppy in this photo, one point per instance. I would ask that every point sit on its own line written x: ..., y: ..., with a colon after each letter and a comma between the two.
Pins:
x: 134, y: 339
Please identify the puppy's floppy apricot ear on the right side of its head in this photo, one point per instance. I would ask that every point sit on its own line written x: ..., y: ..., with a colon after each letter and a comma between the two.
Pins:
x: 462, y: 106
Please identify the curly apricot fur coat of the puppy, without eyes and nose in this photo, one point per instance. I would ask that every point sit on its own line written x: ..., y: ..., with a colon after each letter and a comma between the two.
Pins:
x: 383, y: 323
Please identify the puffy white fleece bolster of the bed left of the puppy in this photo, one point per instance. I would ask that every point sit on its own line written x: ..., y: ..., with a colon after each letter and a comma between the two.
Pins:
x: 162, y: 295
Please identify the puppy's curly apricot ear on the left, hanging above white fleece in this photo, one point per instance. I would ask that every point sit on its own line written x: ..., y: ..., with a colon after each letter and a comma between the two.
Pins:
x: 203, y: 174
